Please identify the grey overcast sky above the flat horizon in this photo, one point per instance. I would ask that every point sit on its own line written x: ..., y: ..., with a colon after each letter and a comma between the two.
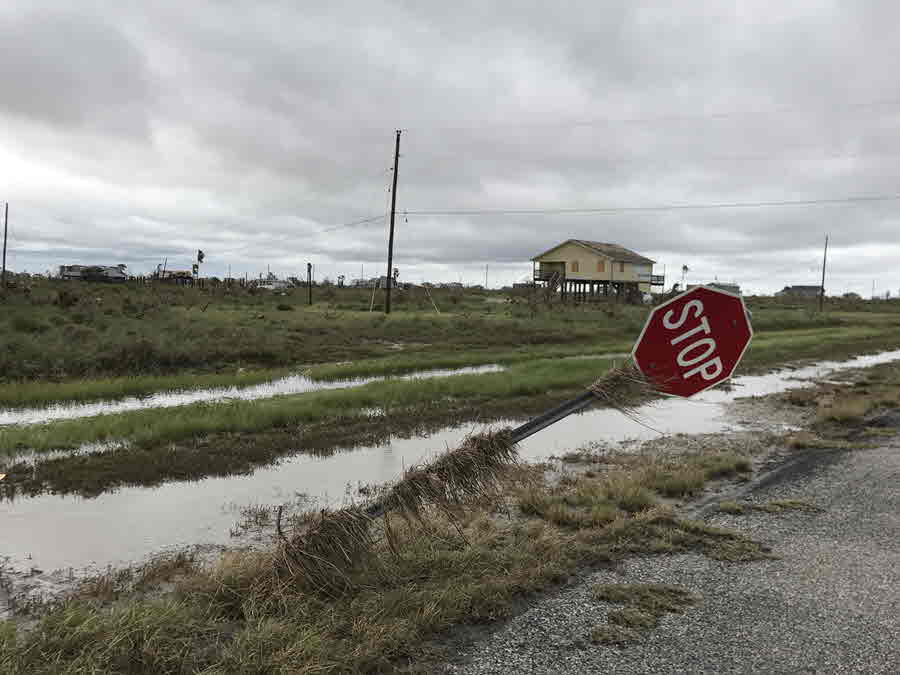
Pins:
x: 136, y: 132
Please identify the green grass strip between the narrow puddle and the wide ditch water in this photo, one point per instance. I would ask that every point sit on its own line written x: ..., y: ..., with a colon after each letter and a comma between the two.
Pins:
x: 530, y: 378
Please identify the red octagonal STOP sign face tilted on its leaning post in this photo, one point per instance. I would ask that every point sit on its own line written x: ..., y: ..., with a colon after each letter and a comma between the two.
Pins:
x: 694, y: 341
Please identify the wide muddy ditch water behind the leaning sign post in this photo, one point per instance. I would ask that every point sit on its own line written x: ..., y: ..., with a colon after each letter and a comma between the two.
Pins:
x: 58, y: 532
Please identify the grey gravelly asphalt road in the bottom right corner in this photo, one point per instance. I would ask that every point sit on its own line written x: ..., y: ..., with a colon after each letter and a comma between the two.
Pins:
x: 829, y: 604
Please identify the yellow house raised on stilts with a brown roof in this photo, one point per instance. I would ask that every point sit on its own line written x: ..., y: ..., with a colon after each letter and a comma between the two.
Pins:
x: 586, y: 269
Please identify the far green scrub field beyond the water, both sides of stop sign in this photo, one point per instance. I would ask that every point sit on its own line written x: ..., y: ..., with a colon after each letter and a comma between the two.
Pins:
x: 75, y: 333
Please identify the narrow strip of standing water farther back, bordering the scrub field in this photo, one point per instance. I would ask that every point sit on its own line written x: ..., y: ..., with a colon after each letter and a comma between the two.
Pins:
x: 292, y: 384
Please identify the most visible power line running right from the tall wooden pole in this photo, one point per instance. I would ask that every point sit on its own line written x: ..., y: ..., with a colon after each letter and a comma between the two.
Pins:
x: 661, y: 207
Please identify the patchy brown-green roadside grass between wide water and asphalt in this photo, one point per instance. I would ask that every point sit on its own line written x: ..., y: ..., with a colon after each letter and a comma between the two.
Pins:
x: 465, y: 561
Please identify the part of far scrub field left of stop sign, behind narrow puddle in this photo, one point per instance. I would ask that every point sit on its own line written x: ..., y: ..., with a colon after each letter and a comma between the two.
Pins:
x: 64, y: 331
